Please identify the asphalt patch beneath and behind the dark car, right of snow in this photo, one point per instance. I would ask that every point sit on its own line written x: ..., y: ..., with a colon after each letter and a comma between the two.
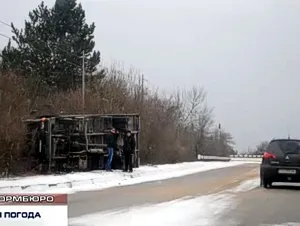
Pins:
x: 278, y: 205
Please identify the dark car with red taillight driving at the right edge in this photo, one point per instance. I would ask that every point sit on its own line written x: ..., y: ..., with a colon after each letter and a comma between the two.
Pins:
x: 281, y: 162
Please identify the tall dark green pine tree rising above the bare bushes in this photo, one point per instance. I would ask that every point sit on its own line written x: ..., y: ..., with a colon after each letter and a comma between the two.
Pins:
x: 51, y: 45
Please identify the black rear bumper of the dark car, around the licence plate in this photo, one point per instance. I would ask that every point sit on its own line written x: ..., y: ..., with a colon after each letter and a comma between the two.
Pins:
x: 272, y: 173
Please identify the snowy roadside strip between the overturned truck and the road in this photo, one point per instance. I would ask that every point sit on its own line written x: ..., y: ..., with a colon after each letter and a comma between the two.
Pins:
x: 71, y: 183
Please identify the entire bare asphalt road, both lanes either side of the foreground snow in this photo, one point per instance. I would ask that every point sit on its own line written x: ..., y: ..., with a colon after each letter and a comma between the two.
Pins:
x: 258, y: 207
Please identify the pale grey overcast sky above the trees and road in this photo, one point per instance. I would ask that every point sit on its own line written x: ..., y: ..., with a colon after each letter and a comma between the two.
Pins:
x: 245, y: 53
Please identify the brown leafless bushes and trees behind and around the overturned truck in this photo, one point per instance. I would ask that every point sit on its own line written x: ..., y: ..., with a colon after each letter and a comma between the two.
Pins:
x: 173, y: 128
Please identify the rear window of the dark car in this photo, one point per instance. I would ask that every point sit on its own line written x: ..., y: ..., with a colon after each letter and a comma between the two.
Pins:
x: 285, y: 146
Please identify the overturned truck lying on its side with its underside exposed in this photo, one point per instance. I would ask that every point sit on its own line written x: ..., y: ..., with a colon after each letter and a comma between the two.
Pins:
x: 65, y: 143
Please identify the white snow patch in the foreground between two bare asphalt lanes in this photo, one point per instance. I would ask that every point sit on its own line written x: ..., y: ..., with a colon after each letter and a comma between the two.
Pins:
x: 201, y: 211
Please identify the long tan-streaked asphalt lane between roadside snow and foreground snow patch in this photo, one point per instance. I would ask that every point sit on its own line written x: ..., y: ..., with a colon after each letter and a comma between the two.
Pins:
x: 161, y: 191
